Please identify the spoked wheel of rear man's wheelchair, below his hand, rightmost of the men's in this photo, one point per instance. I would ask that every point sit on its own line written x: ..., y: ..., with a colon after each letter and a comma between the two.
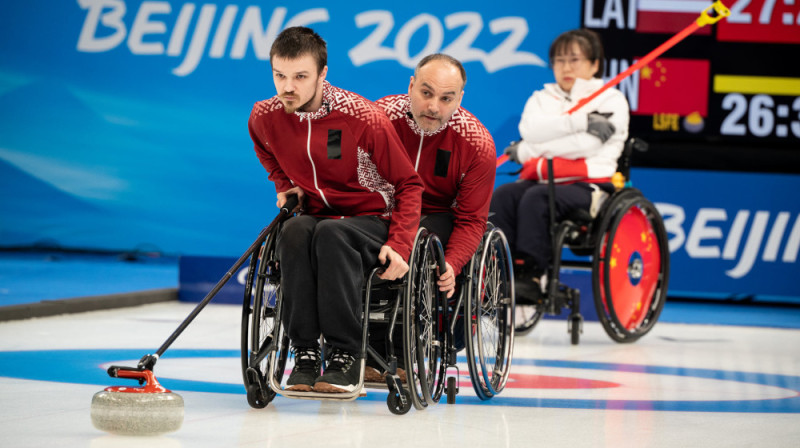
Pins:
x: 490, y: 311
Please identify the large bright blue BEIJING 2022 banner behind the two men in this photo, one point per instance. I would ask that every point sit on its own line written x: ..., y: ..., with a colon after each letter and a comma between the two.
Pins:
x: 123, y: 123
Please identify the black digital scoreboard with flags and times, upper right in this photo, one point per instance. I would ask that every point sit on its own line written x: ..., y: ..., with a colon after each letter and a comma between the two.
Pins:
x: 733, y: 85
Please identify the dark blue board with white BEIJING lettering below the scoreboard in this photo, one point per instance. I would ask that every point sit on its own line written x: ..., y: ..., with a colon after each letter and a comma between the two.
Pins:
x: 730, y: 234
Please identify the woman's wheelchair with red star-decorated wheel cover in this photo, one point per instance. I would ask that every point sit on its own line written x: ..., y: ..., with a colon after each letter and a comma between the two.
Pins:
x: 627, y: 242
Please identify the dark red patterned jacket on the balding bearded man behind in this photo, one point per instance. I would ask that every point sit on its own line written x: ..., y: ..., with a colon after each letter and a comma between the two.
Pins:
x: 457, y: 165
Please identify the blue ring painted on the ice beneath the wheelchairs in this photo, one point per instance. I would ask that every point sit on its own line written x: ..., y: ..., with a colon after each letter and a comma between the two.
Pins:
x: 85, y: 367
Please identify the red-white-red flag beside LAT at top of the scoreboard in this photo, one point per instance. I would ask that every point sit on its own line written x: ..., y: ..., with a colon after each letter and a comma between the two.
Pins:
x: 669, y: 16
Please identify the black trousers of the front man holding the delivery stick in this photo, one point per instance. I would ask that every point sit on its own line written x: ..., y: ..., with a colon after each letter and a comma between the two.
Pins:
x: 323, y: 264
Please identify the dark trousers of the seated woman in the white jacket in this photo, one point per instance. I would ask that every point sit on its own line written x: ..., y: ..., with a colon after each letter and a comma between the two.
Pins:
x: 520, y: 209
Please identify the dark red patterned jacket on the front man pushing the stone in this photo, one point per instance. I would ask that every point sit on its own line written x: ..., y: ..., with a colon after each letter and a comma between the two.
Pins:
x: 345, y: 156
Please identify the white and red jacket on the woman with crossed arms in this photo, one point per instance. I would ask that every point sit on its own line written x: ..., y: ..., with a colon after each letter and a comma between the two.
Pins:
x: 548, y: 132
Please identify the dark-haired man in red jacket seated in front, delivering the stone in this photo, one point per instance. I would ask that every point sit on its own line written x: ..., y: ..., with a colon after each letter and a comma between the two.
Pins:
x: 360, y: 204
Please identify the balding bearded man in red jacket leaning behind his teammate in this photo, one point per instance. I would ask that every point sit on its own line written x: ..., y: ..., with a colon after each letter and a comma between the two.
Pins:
x: 454, y: 155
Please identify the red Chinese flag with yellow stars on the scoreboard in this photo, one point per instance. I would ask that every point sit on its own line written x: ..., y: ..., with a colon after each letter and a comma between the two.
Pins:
x: 673, y: 86
